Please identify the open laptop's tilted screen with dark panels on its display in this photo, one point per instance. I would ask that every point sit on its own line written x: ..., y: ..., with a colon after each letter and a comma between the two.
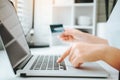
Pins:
x: 12, y: 34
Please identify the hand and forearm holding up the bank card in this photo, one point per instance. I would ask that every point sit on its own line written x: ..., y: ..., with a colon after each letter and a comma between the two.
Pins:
x: 73, y: 35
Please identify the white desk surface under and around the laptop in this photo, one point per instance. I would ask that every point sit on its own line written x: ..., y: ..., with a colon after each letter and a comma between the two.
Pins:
x: 6, y: 72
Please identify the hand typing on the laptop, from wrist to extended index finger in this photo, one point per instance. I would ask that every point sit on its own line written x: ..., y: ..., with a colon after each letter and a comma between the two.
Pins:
x: 84, y: 52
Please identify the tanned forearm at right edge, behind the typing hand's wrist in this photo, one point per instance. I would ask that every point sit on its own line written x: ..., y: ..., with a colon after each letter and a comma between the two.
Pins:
x: 112, y: 57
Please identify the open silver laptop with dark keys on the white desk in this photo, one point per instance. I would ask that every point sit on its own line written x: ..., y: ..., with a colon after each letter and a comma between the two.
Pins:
x: 25, y: 64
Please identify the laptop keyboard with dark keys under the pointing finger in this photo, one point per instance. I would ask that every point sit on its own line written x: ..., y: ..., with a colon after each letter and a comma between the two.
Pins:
x: 45, y: 62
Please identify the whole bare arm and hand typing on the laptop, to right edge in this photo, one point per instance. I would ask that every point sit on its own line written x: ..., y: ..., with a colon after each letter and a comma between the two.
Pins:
x: 85, y: 52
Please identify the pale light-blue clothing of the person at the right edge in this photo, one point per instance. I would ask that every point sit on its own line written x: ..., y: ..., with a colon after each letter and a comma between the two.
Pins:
x: 113, y: 27
